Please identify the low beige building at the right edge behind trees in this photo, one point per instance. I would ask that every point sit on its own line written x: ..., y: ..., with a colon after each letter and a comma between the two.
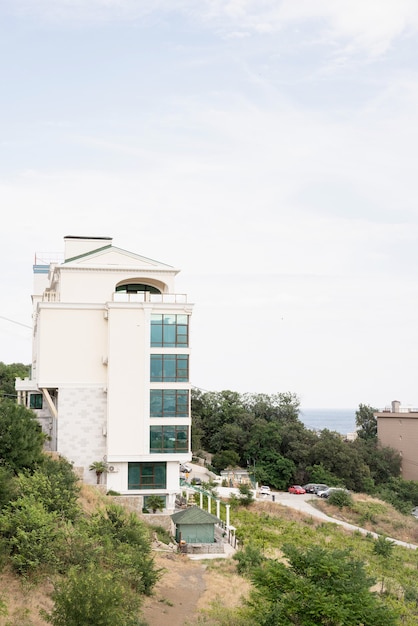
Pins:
x: 397, y: 428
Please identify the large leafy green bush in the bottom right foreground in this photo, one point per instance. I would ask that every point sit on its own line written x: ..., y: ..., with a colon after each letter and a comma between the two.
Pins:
x: 317, y: 587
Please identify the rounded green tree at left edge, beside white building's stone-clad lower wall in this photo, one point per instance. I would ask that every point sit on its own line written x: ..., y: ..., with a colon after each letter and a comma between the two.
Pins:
x: 21, y: 437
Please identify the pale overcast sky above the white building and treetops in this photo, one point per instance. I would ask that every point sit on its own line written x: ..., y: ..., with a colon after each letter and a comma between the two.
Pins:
x: 267, y: 148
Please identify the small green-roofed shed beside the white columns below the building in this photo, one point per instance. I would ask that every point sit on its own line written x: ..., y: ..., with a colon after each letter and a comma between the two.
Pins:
x: 194, y: 525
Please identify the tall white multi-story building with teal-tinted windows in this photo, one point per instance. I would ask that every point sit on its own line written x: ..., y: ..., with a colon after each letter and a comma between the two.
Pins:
x: 110, y: 368
